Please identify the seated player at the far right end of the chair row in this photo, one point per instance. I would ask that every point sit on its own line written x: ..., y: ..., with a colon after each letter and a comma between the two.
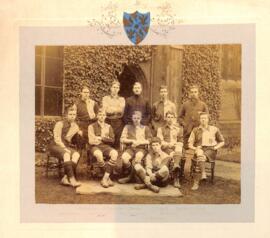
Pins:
x: 205, y: 140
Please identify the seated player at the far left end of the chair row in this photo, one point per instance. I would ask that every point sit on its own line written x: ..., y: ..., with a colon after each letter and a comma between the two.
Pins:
x: 62, y: 148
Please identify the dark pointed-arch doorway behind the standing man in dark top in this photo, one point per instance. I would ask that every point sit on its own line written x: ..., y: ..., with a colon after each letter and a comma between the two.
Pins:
x: 130, y: 75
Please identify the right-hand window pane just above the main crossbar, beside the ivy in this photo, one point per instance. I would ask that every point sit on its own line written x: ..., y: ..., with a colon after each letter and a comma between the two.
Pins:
x: 54, y: 72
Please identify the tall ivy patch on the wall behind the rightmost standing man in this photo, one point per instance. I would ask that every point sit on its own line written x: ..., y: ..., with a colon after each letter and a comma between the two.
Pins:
x: 201, y: 66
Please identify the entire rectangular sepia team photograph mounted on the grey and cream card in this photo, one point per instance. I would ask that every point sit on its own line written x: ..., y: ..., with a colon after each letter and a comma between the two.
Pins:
x: 150, y: 124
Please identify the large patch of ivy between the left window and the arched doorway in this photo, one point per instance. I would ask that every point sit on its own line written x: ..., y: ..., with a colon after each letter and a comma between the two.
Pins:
x: 97, y: 67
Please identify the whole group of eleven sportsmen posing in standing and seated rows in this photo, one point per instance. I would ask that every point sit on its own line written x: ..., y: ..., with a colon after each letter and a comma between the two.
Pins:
x: 150, y: 143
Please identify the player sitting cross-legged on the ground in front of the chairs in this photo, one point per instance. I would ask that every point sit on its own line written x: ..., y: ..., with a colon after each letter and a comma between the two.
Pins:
x: 156, y: 171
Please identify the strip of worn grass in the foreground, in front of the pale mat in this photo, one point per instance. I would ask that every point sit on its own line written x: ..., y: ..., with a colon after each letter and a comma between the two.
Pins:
x: 223, y: 191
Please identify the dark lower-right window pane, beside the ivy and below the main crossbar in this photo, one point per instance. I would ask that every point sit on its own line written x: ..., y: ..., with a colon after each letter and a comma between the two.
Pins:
x: 53, y: 101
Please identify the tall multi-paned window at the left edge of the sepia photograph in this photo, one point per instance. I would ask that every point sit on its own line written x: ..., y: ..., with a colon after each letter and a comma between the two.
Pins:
x: 49, y: 80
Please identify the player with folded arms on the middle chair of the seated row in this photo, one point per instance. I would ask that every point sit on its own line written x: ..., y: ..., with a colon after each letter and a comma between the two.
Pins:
x: 135, y: 138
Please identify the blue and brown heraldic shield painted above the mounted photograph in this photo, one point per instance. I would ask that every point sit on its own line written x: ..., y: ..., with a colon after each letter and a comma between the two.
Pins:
x: 136, y: 25
